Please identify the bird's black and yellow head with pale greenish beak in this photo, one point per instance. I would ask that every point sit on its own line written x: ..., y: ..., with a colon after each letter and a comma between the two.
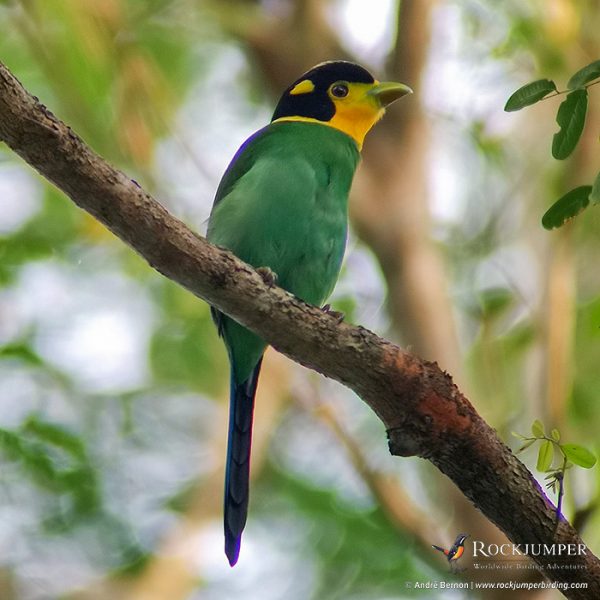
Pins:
x: 340, y: 94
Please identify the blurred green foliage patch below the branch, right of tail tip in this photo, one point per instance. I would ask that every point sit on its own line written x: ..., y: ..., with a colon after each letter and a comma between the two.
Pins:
x: 345, y: 539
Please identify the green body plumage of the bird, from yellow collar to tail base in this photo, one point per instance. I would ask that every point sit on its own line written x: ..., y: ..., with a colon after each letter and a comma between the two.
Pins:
x: 282, y: 204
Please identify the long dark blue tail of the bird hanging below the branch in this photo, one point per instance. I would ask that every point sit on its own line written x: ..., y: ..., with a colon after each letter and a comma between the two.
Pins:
x: 237, y: 472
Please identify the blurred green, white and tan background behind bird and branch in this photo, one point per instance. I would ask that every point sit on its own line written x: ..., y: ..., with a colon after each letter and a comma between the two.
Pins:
x: 113, y: 383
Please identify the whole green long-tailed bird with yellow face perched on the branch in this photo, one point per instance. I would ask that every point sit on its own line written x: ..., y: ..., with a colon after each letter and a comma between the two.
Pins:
x: 282, y: 207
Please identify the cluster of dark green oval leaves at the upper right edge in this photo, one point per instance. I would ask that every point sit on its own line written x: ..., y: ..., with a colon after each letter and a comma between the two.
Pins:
x: 571, y: 121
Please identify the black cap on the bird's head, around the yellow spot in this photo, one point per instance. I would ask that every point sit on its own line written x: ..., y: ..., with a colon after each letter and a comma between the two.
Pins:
x: 317, y: 104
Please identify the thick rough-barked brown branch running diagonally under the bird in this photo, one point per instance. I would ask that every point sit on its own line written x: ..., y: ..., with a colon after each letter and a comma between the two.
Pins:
x: 423, y: 411
